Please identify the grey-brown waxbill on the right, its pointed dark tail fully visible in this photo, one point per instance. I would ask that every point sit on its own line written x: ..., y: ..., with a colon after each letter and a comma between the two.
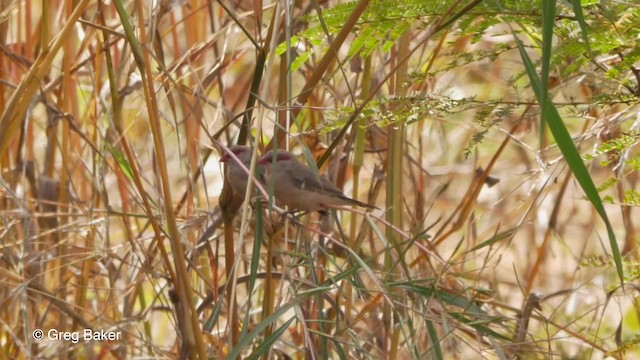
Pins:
x: 298, y: 187
